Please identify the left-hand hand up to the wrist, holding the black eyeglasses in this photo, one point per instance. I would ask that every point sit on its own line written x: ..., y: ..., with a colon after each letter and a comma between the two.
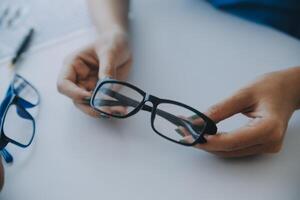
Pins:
x: 109, y: 56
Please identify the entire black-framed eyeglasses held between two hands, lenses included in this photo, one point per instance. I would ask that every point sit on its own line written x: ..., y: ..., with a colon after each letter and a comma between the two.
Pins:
x: 172, y: 120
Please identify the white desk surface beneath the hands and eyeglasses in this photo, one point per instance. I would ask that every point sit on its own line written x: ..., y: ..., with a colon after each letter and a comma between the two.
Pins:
x: 184, y: 50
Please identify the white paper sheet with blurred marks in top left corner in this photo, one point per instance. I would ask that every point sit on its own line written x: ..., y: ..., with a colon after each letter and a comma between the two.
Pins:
x: 52, y: 20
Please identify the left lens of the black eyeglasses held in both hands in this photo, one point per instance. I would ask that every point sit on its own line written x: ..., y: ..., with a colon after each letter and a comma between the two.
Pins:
x: 116, y: 99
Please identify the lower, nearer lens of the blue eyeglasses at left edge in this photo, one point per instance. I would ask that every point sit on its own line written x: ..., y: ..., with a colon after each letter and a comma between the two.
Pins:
x: 17, y: 125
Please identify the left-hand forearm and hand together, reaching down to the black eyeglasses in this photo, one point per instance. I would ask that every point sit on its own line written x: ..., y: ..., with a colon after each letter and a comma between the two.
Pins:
x: 109, y: 55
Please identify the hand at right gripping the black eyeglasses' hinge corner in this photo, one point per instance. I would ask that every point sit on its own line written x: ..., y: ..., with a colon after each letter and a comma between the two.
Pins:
x: 269, y: 102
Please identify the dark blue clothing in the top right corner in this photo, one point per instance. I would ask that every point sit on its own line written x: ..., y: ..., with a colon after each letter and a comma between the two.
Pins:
x: 280, y: 14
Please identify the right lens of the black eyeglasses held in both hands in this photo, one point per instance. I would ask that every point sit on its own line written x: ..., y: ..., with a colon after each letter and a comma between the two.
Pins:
x: 178, y: 123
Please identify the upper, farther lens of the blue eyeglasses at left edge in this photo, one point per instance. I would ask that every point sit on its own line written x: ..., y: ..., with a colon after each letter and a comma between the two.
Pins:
x: 25, y: 90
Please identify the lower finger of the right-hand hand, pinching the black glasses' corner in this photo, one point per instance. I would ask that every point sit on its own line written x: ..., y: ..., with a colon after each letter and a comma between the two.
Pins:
x: 252, y: 134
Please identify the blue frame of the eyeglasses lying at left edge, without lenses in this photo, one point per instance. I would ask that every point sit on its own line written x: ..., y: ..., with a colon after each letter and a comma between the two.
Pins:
x: 12, y: 98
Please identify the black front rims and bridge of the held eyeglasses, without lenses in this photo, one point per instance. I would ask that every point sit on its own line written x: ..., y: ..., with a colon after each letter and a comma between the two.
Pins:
x: 210, y: 126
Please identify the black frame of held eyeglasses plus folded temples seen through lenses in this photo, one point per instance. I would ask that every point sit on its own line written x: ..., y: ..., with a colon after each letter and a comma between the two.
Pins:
x: 209, y: 126
